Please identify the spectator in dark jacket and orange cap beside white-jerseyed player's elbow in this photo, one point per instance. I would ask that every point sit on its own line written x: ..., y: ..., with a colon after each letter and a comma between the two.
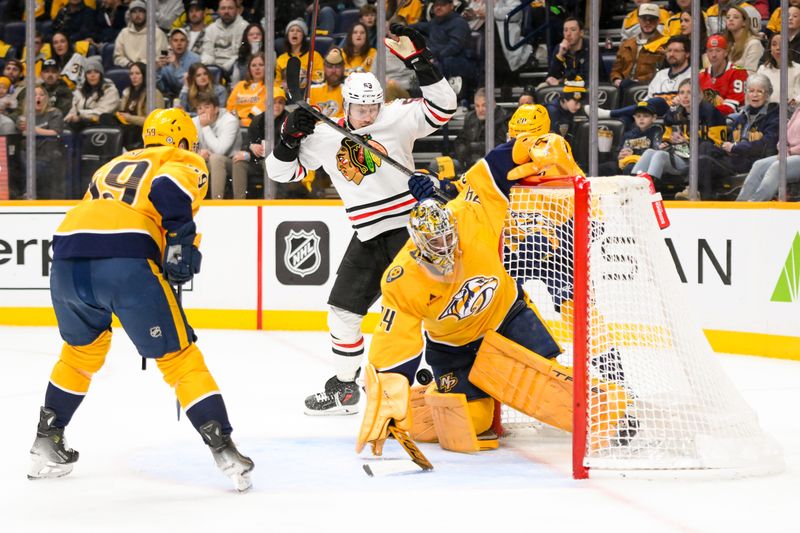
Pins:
x: 249, y: 161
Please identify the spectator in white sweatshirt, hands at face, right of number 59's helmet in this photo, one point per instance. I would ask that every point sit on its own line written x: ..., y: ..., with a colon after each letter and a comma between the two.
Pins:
x: 218, y: 140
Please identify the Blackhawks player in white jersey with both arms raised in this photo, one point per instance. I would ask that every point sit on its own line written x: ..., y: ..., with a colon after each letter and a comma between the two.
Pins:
x: 375, y: 195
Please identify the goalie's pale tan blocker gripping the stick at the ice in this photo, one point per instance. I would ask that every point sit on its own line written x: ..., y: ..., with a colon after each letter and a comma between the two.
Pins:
x: 388, y: 400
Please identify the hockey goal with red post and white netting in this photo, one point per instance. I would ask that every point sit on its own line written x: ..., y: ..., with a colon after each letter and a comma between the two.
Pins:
x: 598, y: 269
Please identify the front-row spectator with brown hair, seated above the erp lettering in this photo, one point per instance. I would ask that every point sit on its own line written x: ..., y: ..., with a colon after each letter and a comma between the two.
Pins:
x: 50, y: 184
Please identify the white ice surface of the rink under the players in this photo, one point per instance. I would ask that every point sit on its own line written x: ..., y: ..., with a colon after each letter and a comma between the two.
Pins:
x: 140, y: 470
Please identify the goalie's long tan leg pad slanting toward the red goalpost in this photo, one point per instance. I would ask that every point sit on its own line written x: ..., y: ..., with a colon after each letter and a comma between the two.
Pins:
x: 524, y: 380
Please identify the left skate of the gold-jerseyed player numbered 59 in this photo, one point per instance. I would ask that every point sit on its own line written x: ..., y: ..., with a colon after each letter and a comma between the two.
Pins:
x: 50, y: 457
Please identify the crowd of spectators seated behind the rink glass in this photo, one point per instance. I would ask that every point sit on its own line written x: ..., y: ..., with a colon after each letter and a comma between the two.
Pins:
x: 211, y: 56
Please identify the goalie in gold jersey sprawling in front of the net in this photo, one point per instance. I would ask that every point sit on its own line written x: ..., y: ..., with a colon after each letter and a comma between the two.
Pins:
x: 483, y: 338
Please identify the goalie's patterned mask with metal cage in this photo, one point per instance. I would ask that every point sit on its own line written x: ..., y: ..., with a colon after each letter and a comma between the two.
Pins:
x: 433, y: 230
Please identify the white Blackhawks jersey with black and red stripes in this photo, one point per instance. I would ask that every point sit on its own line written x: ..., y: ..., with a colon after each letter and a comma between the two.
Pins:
x: 375, y: 195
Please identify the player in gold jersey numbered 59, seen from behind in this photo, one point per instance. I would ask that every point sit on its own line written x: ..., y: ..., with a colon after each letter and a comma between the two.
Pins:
x: 119, y: 251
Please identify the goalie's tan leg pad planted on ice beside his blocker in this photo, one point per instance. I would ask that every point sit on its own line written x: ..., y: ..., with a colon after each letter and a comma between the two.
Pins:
x: 455, y: 420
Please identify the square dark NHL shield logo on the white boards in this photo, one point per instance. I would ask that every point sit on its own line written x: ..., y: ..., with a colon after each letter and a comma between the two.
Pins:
x: 302, y: 252
